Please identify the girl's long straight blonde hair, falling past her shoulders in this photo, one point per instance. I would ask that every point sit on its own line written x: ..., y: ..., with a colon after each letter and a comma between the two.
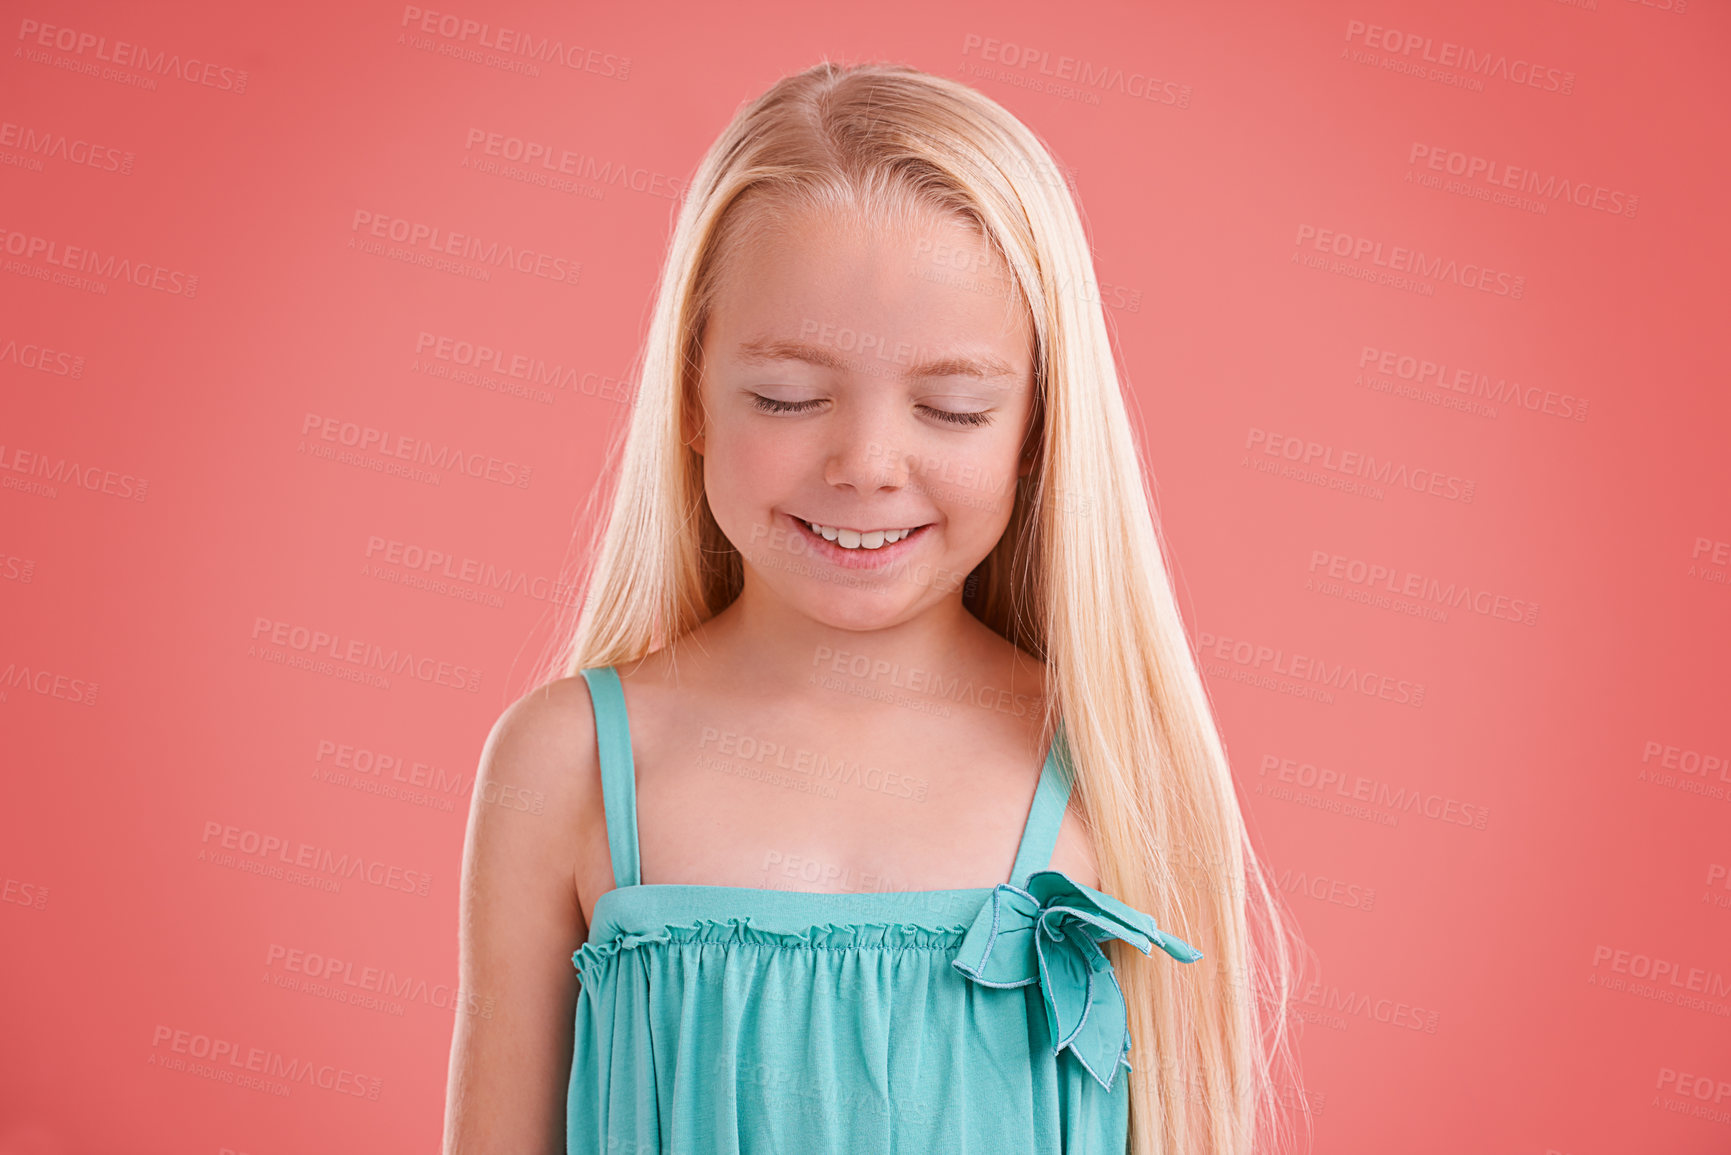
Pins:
x: 1079, y: 579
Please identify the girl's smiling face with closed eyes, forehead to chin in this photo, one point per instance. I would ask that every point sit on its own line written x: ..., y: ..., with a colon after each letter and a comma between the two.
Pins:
x: 878, y: 384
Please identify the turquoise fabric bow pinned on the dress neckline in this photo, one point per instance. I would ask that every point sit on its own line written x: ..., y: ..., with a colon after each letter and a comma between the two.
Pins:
x: 1052, y: 934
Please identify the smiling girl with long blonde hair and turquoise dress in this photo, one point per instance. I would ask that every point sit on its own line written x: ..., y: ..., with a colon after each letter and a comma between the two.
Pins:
x: 884, y: 803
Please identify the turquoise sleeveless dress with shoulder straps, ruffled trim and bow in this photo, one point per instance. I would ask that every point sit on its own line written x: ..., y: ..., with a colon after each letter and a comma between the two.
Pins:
x: 780, y: 1023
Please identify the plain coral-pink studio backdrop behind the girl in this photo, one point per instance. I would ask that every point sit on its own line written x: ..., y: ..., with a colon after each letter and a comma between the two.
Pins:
x: 1512, y: 863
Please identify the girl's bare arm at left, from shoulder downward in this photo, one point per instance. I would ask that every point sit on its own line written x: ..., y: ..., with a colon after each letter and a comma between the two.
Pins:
x: 518, y: 926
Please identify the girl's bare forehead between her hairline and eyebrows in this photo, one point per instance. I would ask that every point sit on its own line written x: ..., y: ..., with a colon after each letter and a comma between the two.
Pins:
x: 927, y: 285
